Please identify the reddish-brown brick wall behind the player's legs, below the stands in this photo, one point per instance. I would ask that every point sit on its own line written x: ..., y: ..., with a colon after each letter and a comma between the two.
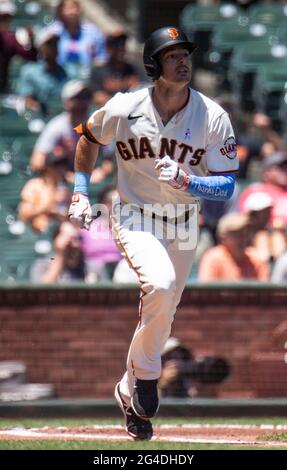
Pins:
x: 77, y: 338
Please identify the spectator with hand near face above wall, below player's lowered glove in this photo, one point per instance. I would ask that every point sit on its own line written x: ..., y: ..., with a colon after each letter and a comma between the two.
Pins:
x: 68, y: 262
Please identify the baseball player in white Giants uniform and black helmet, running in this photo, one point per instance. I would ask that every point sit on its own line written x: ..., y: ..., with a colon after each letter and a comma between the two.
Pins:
x: 174, y: 145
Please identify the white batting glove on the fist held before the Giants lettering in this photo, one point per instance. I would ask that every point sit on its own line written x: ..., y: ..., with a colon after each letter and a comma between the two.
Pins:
x: 171, y: 173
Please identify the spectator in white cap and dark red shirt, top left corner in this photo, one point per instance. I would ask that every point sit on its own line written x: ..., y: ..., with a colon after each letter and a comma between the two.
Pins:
x: 9, y: 46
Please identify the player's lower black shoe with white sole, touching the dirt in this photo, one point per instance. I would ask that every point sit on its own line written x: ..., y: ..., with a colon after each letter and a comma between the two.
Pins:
x: 138, y: 428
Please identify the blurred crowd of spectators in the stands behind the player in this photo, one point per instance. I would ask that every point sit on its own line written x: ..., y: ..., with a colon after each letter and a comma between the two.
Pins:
x: 72, y: 66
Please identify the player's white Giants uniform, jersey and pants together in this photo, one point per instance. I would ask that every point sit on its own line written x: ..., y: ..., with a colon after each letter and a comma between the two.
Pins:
x: 201, y: 139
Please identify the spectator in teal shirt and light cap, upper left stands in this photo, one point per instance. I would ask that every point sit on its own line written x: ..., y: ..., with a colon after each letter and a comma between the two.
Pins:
x: 42, y: 81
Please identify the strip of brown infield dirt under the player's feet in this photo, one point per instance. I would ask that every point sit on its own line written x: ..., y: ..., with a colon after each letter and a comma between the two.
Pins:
x: 206, y: 434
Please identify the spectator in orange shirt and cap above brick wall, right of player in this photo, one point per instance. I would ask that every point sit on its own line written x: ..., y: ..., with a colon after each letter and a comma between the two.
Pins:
x: 233, y: 259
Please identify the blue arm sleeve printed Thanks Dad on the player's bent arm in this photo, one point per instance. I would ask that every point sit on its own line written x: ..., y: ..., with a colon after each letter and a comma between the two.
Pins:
x: 217, y: 187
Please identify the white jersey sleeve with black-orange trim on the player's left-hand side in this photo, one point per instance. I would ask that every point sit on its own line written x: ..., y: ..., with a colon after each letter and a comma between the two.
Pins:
x: 102, y: 124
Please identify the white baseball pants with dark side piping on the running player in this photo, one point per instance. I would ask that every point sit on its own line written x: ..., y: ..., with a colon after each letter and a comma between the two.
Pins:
x: 163, y: 266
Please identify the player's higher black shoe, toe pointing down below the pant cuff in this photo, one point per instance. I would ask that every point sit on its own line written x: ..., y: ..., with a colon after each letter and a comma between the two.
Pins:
x: 145, y: 401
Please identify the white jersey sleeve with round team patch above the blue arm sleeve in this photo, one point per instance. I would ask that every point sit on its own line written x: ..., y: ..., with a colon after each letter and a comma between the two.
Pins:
x: 221, y: 156
